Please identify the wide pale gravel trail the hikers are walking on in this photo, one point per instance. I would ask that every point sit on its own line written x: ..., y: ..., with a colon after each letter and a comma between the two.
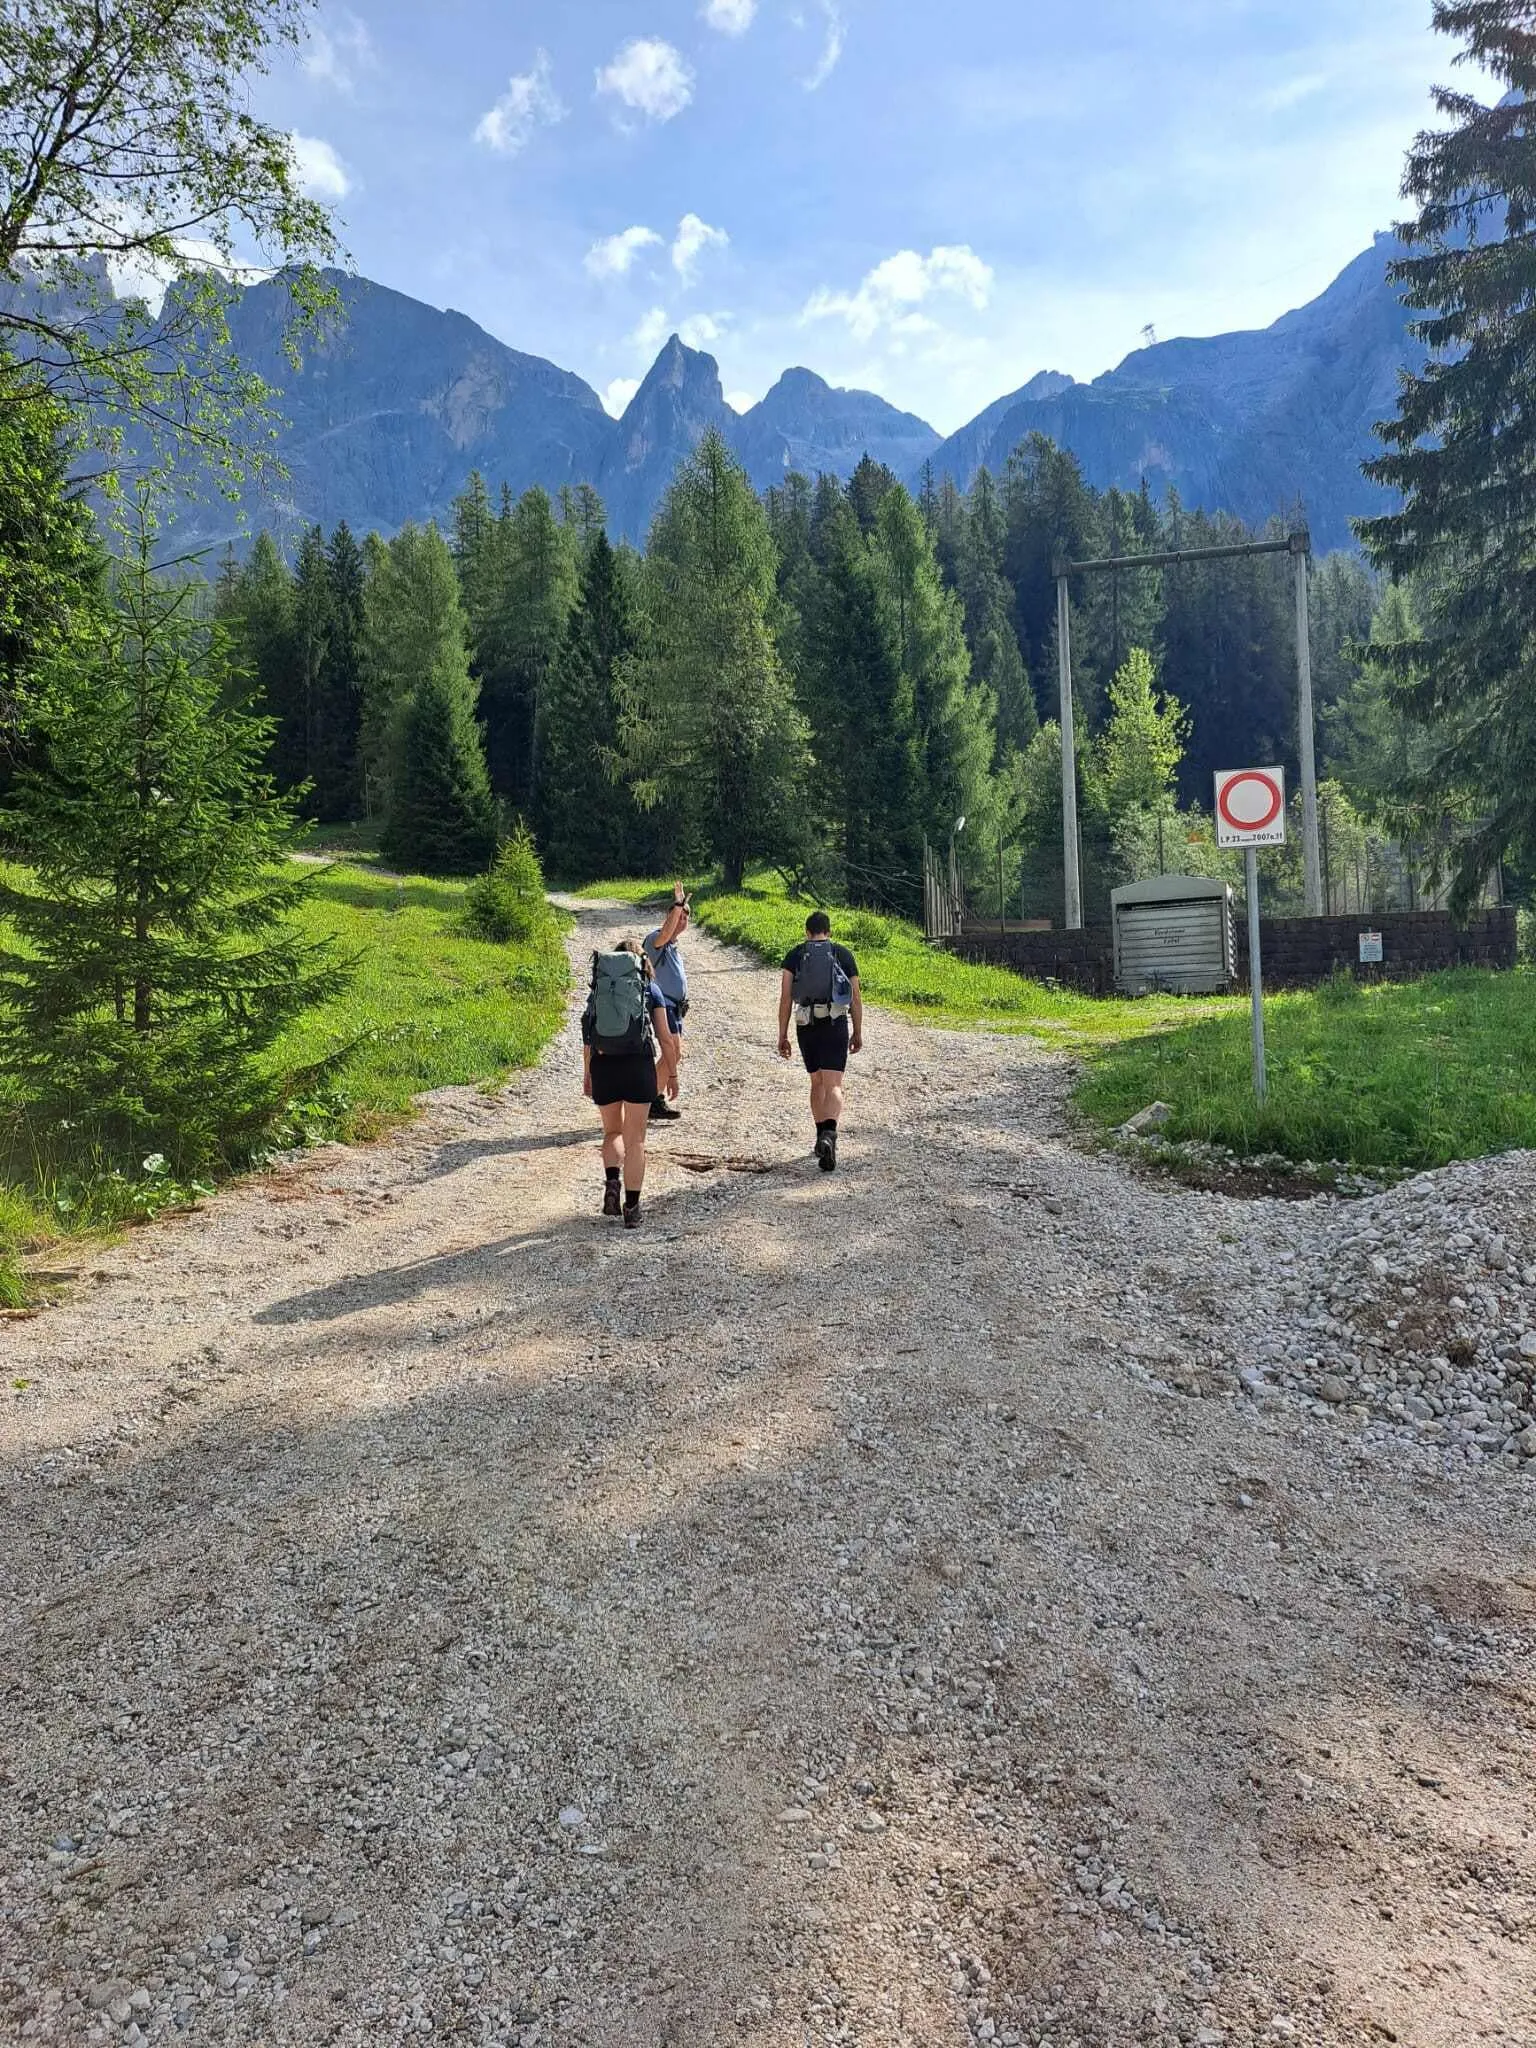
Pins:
x: 851, y: 1611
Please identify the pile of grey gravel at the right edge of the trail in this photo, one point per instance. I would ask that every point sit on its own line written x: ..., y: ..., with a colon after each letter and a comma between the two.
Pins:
x: 1412, y: 1312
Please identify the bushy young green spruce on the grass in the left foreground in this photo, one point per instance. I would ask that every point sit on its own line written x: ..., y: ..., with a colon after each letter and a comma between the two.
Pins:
x: 157, y: 959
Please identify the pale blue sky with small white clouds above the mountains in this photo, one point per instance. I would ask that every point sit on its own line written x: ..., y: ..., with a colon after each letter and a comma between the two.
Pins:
x: 925, y: 198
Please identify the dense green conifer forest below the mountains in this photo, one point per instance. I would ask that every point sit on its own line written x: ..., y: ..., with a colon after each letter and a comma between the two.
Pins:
x: 818, y: 681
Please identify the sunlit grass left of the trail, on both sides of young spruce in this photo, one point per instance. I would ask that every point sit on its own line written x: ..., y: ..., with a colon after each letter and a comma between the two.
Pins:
x: 427, y: 1007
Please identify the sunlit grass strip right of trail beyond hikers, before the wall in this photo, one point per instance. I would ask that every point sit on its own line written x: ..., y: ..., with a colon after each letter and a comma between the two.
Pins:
x: 900, y: 970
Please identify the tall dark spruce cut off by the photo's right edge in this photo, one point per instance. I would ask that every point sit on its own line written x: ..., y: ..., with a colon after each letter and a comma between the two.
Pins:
x: 1461, y: 452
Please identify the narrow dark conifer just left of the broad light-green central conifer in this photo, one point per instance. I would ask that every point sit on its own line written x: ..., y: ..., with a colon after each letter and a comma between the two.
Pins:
x: 587, y: 818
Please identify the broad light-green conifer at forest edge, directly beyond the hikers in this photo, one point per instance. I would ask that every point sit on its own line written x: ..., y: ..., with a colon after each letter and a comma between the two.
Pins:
x: 710, y: 724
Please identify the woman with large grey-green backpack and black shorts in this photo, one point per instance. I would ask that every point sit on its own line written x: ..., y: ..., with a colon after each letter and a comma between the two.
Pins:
x: 628, y: 1058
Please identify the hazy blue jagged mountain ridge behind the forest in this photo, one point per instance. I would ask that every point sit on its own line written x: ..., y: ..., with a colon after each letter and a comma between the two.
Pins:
x: 398, y: 402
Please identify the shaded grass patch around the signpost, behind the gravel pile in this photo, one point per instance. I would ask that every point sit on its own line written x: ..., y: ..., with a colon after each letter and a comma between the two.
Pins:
x: 1396, y: 1076
